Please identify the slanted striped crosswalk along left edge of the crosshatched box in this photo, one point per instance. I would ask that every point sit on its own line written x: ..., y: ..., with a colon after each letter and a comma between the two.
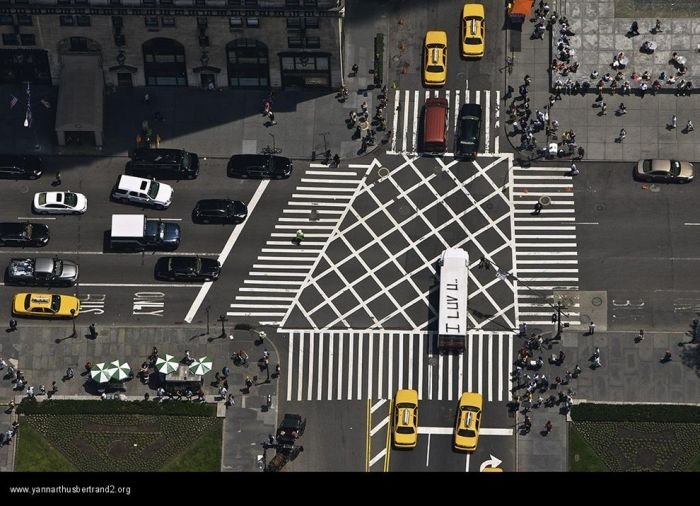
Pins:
x: 316, y: 206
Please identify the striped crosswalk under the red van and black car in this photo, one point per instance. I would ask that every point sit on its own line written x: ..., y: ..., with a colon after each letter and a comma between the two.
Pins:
x: 408, y: 105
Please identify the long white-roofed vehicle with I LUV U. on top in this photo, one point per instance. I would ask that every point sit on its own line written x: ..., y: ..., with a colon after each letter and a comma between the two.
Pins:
x: 452, y: 318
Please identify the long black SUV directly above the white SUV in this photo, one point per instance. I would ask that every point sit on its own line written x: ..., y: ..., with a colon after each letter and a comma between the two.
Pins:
x: 163, y: 164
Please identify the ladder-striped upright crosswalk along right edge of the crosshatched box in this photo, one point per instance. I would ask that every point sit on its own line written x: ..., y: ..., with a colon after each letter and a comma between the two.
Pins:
x: 545, y: 244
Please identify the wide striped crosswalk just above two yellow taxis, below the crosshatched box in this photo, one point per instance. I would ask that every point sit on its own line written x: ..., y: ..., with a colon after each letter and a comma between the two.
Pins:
x: 360, y: 364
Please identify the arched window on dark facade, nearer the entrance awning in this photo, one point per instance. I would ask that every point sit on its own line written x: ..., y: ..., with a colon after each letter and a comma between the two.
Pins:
x: 164, y: 63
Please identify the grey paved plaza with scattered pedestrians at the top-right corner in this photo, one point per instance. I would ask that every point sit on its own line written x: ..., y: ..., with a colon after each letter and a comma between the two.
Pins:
x: 600, y: 37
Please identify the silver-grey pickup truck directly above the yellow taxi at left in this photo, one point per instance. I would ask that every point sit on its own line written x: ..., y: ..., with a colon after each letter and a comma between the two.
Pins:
x: 42, y: 271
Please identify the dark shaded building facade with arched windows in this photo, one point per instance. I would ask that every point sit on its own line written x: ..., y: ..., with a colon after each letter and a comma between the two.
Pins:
x: 197, y: 43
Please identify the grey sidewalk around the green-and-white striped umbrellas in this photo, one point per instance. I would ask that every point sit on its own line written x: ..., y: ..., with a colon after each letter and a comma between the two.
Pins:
x: 42, y: 361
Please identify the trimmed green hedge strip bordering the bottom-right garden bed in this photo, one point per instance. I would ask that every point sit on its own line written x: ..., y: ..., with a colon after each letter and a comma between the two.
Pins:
x: 635, y: 413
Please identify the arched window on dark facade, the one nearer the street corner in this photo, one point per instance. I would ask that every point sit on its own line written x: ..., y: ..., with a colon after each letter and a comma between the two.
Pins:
x: 248, y: 64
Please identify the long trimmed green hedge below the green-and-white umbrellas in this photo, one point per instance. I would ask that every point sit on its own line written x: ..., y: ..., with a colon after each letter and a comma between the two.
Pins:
x: 98, y: 407
